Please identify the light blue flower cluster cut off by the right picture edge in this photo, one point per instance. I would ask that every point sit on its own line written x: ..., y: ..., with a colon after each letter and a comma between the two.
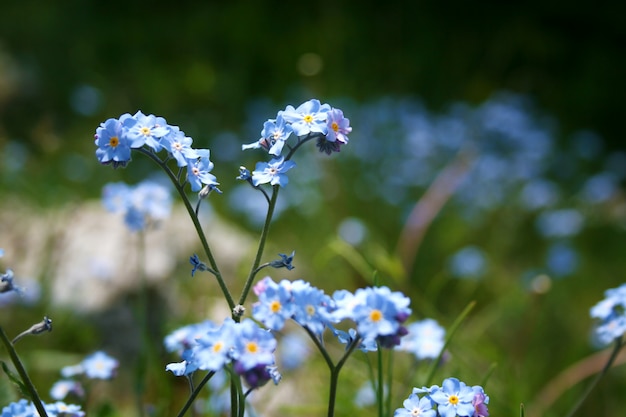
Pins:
x: 611, y: 313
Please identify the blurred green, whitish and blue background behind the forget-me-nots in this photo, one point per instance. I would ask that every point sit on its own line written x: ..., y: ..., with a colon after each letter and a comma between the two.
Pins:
x: 487, y: 162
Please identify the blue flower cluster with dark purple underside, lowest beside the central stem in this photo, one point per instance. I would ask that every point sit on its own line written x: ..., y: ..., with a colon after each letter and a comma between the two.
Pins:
x: 208, y: 347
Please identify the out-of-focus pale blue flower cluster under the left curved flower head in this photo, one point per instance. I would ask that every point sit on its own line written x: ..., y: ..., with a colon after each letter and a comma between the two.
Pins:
x: 141, y: 205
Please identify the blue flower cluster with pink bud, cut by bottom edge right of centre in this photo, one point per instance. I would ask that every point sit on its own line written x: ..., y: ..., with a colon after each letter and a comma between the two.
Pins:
x: 453, y: 398
